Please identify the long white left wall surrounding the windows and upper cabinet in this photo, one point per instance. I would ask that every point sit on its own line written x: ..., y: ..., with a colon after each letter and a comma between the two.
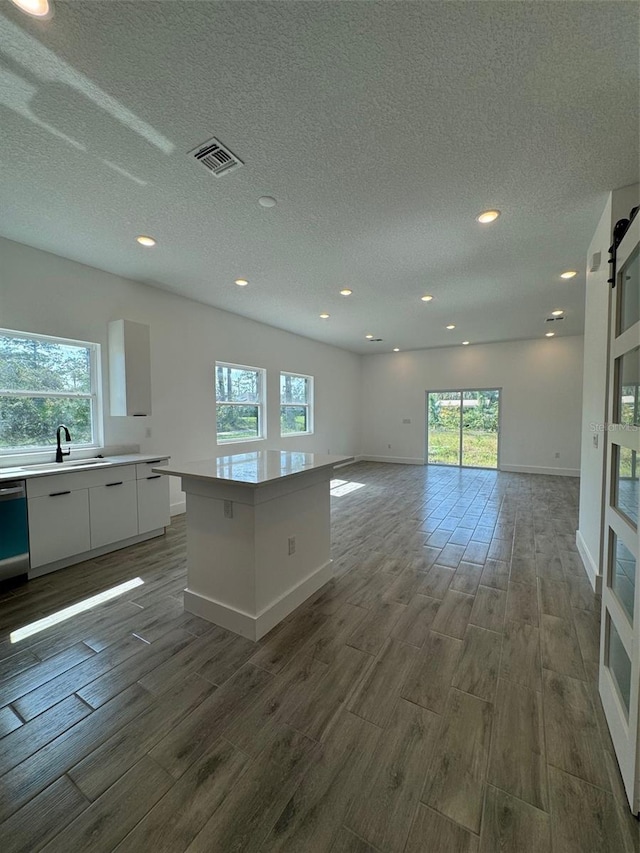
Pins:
x: 41, y: 292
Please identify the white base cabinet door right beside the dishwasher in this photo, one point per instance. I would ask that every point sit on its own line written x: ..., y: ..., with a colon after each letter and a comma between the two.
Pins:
x: 58, y: 526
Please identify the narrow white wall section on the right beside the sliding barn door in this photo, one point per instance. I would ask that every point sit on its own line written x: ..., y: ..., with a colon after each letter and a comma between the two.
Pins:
x: 594, y: 392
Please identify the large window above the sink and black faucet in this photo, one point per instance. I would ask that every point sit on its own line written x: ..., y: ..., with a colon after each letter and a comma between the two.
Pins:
x: 45, y: 382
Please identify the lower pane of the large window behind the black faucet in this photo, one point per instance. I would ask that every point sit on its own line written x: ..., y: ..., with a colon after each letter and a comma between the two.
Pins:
x: 32, y: 421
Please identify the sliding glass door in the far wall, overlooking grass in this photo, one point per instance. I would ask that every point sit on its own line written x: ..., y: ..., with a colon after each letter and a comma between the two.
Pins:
x: 463, y: 428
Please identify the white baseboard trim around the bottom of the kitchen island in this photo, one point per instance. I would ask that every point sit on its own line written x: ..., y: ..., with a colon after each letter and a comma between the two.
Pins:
x: 248, y: 625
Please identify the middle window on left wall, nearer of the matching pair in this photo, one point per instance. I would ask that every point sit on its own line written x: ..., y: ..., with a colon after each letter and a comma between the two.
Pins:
x: 239, y: 402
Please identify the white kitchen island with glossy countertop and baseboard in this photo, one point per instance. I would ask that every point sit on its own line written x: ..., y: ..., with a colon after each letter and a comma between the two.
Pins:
x: 258, y: 535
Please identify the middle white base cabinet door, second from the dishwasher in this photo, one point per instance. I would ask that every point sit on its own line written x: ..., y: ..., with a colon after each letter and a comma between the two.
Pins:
x: 113, y: 511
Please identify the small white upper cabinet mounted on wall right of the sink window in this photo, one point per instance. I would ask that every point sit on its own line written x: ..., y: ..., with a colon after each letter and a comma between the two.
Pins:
x: 129, y: 368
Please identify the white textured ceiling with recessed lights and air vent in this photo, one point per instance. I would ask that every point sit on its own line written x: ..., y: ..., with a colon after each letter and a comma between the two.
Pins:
x: 382, y: 129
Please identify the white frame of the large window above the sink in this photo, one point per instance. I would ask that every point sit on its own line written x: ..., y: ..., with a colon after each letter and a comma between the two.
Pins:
x: 94, y: 396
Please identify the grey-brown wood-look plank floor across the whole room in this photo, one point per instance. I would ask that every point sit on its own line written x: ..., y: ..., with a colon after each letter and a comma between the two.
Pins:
x: 438, y: 695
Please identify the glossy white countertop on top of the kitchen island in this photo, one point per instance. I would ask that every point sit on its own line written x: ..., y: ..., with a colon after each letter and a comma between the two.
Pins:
x: 254, y: 469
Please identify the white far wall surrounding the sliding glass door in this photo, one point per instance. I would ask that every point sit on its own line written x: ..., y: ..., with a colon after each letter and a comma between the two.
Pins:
x: 541, y: 383
